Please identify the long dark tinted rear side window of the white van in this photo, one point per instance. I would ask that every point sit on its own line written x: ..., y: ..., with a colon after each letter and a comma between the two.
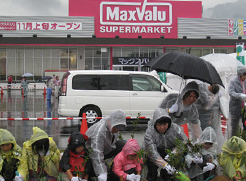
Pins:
x: 100, y: 82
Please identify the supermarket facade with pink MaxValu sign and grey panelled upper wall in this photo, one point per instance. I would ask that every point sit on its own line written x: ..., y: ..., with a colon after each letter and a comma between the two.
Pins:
x: 102, y: 35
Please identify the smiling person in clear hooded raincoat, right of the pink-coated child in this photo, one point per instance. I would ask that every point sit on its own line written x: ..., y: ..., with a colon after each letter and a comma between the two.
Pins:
x: 160, y: 136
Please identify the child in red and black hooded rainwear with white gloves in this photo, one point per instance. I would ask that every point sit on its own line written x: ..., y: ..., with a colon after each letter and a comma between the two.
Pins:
x: 73, y: 158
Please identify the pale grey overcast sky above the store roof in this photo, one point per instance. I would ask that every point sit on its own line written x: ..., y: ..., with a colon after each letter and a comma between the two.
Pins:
x: 57, y: 7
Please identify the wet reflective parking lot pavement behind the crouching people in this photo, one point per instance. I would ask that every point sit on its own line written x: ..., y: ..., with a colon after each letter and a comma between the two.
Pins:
x: 35, y: 105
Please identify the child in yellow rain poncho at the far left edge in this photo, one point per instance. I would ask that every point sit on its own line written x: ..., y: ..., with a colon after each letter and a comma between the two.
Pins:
x: 10, y: 155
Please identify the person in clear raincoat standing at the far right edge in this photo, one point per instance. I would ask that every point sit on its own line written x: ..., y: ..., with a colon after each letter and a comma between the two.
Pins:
x: 237, y: 99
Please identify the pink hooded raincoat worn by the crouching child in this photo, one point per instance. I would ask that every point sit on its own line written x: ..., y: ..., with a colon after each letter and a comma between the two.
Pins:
x: 122, y: 163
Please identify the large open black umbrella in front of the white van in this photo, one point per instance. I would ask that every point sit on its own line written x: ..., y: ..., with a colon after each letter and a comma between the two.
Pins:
x: 186, y: 66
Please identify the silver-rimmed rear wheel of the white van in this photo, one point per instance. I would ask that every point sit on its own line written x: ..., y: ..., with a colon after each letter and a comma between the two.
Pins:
x: 92, y: 112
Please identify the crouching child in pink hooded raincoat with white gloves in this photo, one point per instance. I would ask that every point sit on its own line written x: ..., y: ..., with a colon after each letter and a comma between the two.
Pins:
x: 126, y: 164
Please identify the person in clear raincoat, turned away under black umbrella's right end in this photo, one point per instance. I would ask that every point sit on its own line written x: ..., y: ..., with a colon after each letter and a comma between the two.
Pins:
x: 209, y: 109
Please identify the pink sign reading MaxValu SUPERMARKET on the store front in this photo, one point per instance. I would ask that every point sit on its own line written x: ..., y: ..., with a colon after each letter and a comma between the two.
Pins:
x: 133, y: 18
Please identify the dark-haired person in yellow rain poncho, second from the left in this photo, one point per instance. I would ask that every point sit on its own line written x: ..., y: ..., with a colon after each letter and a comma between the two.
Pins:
x: 40, y: 158
